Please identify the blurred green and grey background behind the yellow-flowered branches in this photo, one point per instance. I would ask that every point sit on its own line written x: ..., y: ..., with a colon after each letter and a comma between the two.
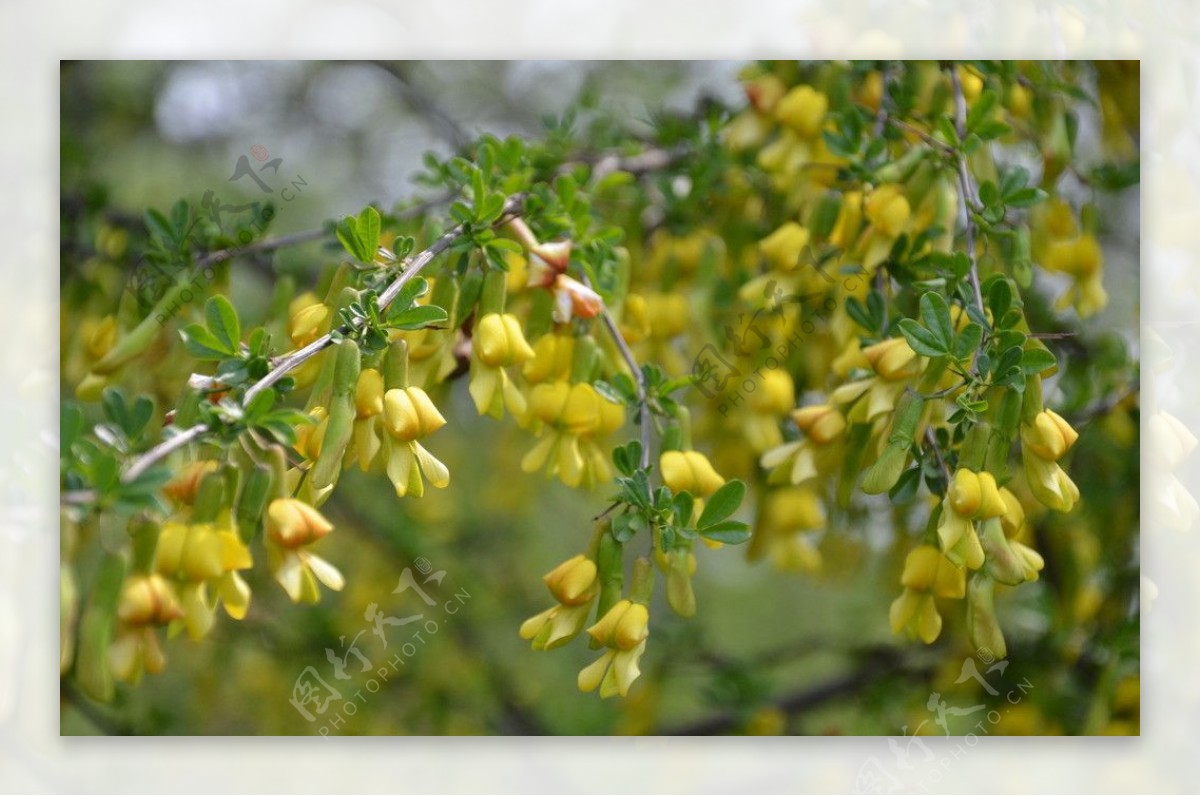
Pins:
x: 767, y: 653
